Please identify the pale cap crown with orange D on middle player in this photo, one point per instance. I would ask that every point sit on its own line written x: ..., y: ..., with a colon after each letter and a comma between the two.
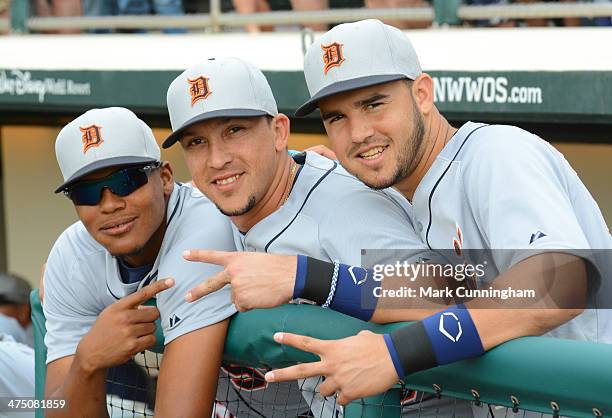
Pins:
x: 214, y: 85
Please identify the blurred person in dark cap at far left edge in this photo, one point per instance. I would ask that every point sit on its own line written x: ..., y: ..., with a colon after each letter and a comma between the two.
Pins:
x: 15, y: 312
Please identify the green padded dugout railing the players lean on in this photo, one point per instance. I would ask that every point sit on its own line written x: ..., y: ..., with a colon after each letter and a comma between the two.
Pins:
x: 547, y: 376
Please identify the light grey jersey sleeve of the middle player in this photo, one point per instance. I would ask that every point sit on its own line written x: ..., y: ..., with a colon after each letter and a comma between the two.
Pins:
x: 370, y: 220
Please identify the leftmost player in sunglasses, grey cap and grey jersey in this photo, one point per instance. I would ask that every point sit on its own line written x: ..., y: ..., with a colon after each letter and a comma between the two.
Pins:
x: 134, y: 223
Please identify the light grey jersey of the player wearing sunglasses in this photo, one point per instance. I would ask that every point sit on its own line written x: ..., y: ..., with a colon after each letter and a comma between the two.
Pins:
x: 82, y: 278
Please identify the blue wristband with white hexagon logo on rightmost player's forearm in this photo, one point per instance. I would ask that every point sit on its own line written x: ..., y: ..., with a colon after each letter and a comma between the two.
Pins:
x: 453, y: 335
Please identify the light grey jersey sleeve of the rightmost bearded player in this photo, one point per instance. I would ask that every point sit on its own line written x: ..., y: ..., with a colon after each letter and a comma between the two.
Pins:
x: 518, y: 190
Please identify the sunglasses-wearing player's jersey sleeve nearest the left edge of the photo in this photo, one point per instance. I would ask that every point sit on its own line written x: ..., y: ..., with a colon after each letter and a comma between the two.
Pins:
x: 67, y: 319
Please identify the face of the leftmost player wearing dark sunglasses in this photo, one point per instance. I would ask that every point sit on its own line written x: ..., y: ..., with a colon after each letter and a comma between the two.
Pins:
x: 132, y: 226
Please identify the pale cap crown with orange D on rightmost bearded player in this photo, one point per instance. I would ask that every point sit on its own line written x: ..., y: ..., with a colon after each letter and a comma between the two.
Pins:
x: 356, y: 50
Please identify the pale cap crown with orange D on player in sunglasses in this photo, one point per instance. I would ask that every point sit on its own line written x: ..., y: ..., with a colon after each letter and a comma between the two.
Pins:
x: 102, y: 135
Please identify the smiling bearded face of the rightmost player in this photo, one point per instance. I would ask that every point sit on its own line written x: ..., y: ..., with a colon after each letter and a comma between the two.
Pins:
x: 377, y: 132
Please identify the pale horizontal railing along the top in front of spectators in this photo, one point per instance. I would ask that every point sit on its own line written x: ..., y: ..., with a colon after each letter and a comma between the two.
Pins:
x: 442, y: 12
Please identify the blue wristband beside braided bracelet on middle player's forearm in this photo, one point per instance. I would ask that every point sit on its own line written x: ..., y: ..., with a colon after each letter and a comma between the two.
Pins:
x: 354, y: 294
